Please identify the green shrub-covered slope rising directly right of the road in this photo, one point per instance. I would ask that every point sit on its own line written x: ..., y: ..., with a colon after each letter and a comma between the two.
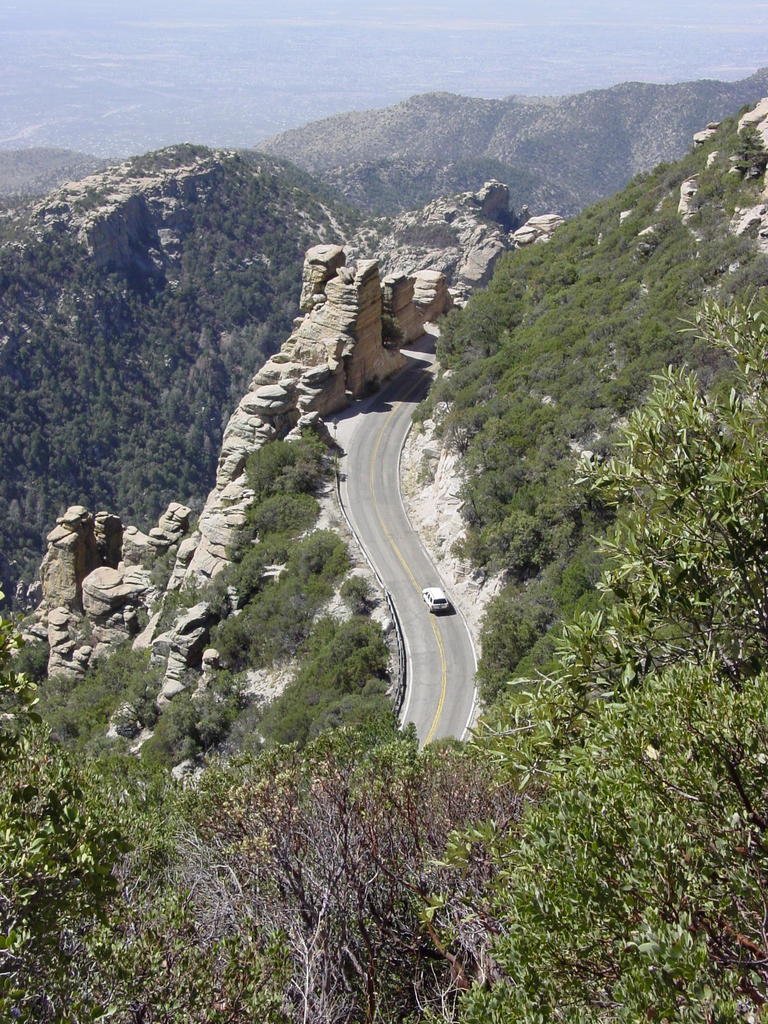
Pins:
x: 558, y: 351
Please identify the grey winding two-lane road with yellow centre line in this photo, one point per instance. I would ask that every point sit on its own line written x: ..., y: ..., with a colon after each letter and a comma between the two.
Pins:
x: 440, y: 698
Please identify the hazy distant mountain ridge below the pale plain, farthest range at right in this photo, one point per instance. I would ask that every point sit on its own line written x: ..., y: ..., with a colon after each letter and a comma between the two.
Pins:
x: 556, y: 153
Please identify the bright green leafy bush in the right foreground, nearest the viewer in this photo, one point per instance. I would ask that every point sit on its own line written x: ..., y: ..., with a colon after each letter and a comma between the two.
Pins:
x: 635, y: 889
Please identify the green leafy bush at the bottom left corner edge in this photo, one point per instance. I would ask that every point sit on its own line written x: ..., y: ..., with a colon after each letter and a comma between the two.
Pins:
x: 57, y: 848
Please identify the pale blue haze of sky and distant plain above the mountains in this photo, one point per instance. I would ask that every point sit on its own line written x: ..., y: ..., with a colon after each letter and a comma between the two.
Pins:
x: 116, y: 77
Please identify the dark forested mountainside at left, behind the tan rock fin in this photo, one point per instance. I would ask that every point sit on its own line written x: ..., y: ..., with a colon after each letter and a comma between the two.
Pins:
x: 118, y: 373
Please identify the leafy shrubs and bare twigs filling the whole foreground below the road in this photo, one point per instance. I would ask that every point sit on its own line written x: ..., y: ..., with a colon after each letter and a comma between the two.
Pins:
x: 596, y: 855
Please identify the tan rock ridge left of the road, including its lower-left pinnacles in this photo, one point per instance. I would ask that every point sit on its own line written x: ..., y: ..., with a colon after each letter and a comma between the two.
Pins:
x: 98, y: 578
